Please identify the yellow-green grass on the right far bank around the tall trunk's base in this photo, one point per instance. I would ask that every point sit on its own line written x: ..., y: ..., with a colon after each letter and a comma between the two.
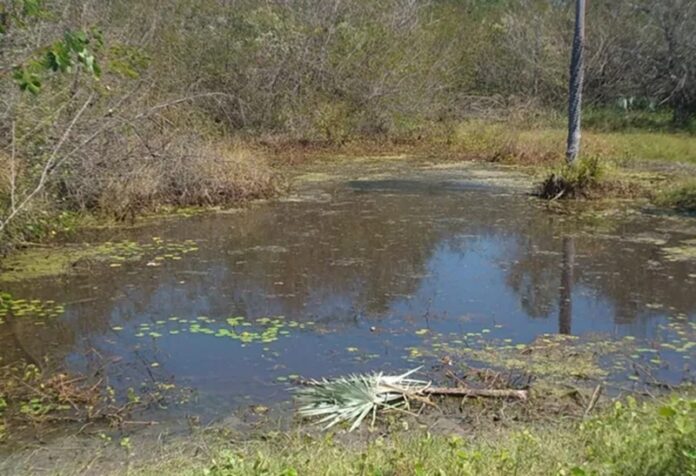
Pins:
x: 635, y: 159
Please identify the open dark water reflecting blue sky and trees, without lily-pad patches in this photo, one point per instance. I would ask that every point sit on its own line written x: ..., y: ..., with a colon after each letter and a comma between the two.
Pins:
x: 399, y: 256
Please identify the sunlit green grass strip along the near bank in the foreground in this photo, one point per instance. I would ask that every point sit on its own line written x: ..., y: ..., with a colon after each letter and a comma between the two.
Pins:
x: 629, y: 438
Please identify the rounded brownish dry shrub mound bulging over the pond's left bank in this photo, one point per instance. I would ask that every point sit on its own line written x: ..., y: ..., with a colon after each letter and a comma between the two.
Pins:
x: 127, y: 173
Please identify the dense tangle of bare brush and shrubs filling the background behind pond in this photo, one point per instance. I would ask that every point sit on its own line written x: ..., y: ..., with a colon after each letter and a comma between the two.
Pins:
x: 191, y: 89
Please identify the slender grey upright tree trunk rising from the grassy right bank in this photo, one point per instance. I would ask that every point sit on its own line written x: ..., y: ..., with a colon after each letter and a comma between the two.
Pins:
x: 577, y: 76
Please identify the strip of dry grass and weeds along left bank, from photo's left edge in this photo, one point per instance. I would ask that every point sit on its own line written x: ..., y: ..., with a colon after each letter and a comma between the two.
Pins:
x: 222, y: 173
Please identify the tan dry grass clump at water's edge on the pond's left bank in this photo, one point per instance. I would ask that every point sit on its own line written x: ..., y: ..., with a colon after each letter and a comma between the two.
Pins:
x: 213, y: 174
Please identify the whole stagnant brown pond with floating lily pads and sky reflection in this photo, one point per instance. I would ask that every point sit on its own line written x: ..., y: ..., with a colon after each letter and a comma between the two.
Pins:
x: 374, y: 268
